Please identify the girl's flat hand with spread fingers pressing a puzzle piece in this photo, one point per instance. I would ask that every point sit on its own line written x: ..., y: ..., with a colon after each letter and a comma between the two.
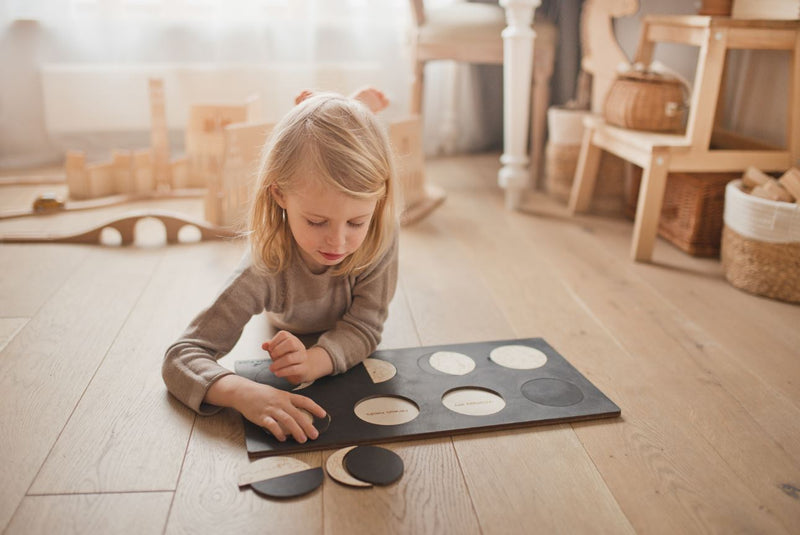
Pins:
x: 280, y: 412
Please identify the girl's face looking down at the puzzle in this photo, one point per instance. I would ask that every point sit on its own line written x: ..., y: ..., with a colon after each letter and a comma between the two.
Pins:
x: 327, y: 224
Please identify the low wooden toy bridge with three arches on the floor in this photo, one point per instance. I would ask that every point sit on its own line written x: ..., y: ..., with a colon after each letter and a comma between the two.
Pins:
x: 126, y: 227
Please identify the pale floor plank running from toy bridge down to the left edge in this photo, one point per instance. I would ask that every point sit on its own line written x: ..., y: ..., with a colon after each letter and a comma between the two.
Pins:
x: 45, y: 369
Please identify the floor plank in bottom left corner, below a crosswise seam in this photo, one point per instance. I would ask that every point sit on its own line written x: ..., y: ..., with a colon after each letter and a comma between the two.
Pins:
x: 80, y: 514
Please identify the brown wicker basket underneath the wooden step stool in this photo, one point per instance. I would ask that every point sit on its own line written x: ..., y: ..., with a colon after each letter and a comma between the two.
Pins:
x: 691, y: 213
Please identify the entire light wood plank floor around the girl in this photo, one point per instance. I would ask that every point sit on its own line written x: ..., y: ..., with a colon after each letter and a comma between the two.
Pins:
x: 707, y: 377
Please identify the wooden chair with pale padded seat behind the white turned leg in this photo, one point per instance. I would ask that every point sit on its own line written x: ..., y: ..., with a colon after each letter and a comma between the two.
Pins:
x: 471, y: 33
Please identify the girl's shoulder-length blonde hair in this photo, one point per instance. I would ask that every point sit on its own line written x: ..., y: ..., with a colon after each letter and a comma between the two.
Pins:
x: 341, y: 140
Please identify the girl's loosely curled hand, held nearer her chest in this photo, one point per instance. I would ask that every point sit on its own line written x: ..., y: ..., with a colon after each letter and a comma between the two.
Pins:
x: 291, y: 359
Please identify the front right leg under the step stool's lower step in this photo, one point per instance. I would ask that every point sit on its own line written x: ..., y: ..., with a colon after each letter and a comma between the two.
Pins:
x: 648, y: 206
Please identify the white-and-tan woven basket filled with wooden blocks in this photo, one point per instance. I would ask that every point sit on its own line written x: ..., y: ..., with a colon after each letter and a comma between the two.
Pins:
x: 761, y: 245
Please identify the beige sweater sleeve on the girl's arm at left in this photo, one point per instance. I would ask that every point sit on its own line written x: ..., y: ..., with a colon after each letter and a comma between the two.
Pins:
x: 190, y: 364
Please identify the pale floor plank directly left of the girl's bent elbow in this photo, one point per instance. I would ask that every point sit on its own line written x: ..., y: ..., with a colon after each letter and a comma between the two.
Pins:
x: 127, y: 433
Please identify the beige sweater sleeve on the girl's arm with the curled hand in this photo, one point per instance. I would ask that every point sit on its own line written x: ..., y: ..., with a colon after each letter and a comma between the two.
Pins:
x: 358, y: 332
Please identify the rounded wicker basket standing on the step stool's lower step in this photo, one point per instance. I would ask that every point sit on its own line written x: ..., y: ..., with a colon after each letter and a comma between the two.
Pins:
x: 646, y: 101
